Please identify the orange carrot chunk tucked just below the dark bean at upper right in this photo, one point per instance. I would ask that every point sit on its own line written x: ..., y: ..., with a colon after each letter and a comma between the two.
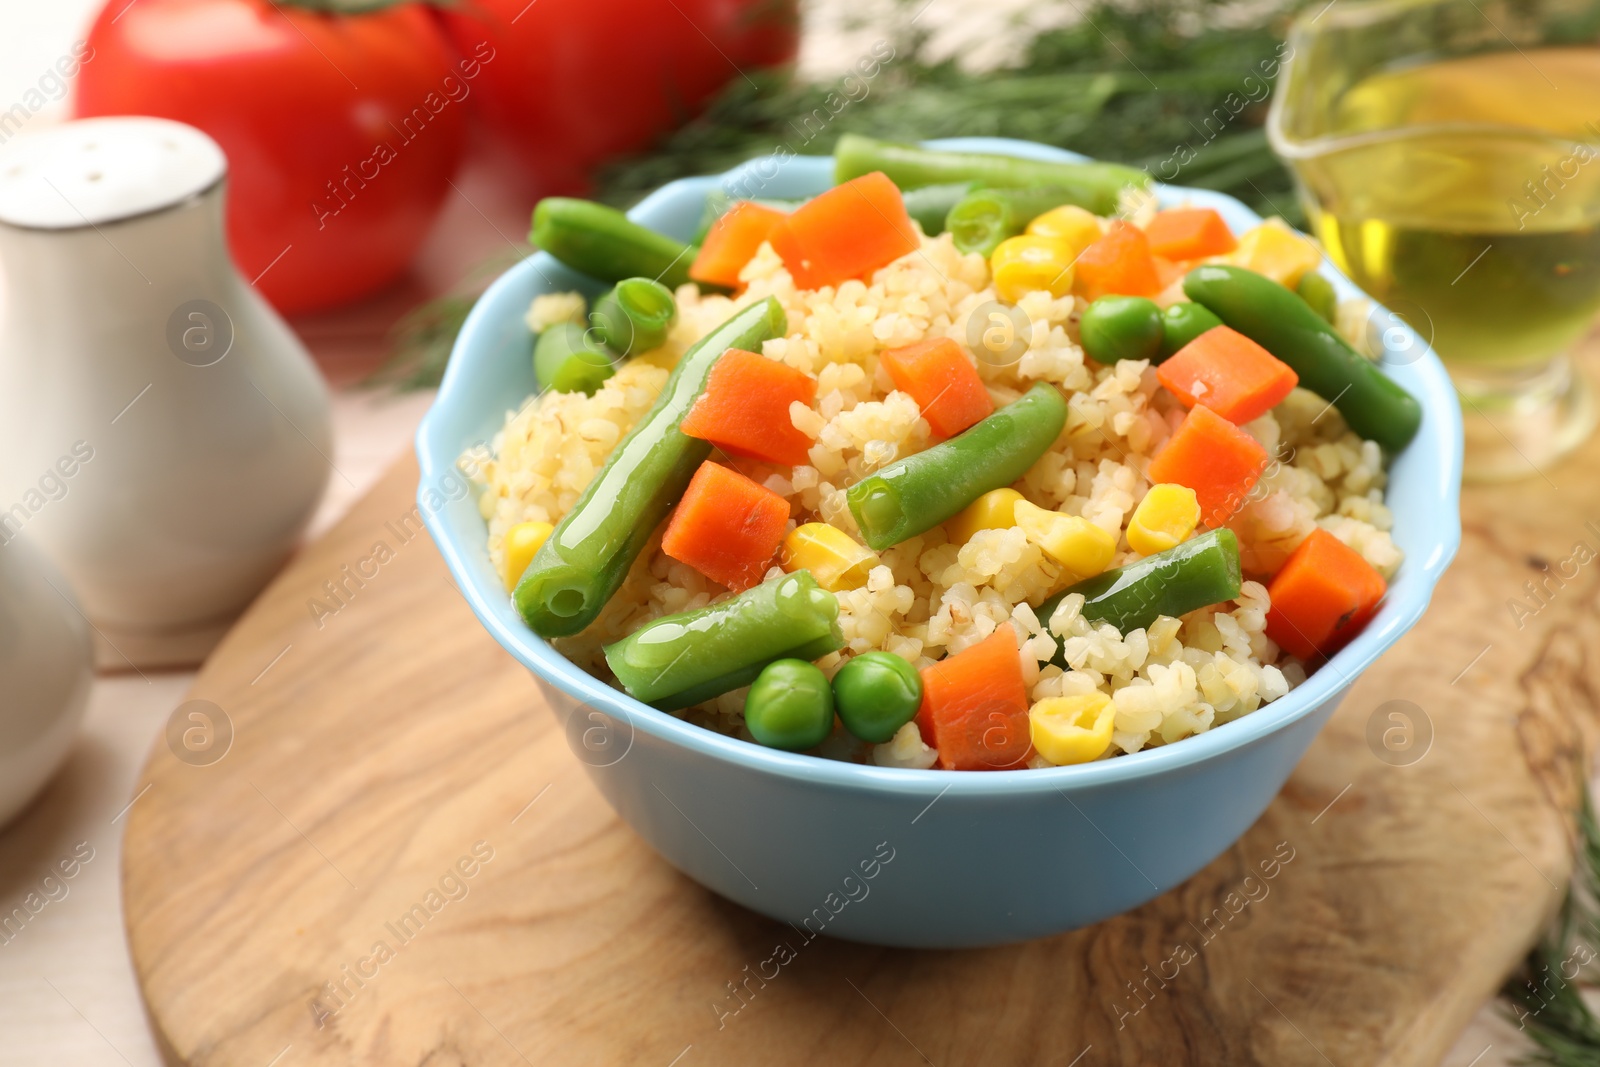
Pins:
x: 1230, y: 374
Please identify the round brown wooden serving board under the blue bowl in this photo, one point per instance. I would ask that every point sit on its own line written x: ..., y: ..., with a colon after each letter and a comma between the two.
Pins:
x: 385, y: 749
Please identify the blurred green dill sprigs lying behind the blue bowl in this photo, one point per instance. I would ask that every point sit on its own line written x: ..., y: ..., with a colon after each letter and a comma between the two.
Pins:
x: 1132, y: 82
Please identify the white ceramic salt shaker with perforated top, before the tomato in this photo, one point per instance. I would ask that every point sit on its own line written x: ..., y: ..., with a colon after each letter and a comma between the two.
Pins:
x: 164, y: 436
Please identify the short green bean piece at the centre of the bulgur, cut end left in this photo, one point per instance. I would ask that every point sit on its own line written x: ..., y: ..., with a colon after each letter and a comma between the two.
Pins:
x: 924, y: 490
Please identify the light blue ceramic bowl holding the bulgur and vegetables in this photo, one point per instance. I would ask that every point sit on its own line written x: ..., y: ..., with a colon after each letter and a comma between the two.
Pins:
x: 895, y: 857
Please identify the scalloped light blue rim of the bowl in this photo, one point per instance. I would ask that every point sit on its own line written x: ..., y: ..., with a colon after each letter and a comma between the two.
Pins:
x: 1441, y: 434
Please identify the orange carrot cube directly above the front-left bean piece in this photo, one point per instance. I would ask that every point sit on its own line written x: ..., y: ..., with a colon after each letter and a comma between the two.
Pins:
x: 727, y: 527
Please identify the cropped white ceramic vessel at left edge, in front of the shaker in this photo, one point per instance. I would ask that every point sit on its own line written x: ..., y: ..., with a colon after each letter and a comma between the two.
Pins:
x: 46, y: 673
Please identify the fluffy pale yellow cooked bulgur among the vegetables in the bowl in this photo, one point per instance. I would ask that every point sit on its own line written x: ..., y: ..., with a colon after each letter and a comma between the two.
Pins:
x: 929, y: 597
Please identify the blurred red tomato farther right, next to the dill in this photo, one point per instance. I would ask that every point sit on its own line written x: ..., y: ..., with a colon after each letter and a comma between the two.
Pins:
x: 578, y: 82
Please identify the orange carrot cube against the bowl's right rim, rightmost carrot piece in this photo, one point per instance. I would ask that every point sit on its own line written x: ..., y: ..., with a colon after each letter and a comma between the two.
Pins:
x: 1322, y: 597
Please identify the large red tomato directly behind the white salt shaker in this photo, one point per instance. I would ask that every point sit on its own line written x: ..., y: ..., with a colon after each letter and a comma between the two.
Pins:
x: 342, y: 132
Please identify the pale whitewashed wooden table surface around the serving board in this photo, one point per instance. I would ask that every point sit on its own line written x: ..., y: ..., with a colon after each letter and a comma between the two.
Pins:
x: 68, y: 994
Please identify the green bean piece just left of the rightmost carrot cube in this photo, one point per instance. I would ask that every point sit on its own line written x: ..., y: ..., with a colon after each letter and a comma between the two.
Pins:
x: 1194, y: 575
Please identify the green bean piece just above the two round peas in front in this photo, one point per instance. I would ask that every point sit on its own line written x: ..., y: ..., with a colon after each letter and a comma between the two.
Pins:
x: 689, y: 658
